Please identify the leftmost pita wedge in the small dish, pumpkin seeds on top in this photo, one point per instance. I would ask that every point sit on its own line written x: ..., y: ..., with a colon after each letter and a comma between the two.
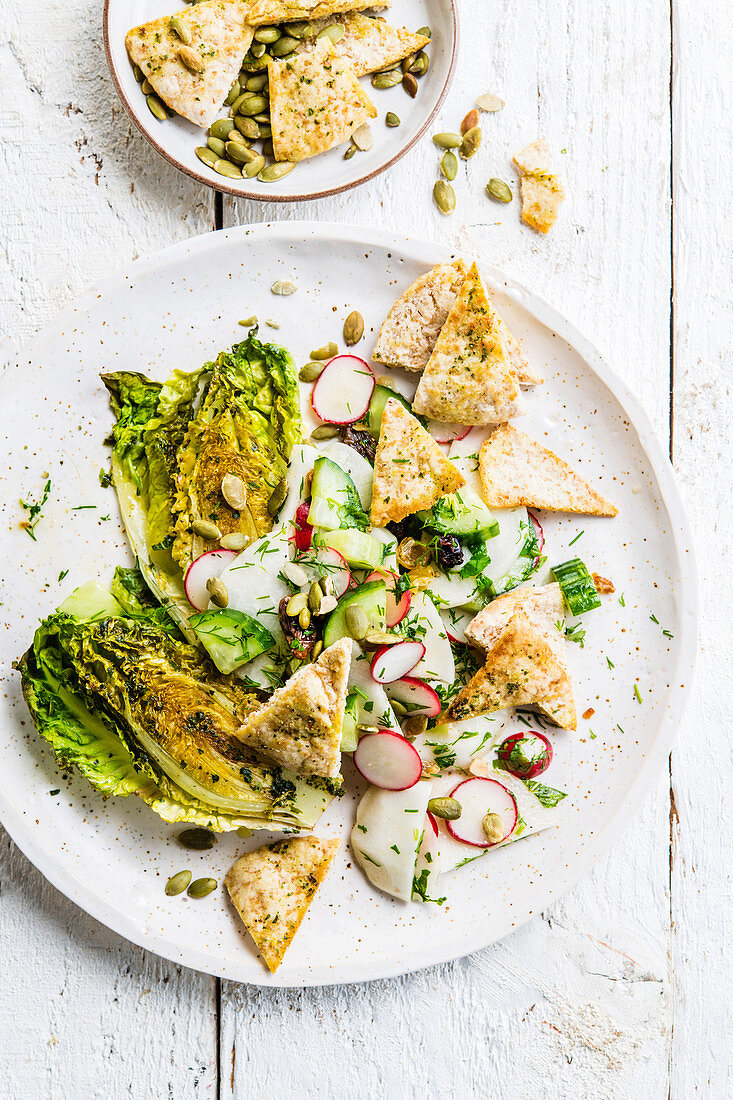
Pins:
x: 220, y: 36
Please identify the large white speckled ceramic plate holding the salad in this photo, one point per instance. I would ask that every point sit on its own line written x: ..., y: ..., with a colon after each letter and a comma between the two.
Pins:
x: 180, y: 310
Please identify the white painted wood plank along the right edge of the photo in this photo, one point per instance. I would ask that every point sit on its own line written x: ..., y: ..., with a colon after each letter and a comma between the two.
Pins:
x: 703, y: 763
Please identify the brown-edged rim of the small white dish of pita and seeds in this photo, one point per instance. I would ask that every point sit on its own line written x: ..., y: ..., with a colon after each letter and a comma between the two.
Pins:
x: 258, y: 196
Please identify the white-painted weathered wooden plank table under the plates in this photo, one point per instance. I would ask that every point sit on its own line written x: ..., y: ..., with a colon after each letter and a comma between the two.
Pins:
x: 619, y: 991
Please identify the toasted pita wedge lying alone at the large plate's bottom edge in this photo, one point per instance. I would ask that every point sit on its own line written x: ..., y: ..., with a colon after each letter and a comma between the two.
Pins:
x: 272, y: 888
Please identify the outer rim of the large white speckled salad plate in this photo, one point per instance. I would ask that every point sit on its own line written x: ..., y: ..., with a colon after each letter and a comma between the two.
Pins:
x: 134, y: 930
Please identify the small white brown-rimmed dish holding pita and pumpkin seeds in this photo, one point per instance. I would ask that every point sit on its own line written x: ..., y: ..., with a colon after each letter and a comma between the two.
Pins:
x: 329, y: 174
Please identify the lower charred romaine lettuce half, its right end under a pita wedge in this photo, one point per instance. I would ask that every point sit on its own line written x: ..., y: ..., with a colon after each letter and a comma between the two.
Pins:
x: 139, y: 711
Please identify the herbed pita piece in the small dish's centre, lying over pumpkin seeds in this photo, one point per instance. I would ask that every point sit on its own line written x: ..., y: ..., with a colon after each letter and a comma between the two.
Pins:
x: 315, y: 103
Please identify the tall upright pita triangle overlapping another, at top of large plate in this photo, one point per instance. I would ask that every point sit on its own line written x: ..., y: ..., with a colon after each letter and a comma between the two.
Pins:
x: 468, y: 379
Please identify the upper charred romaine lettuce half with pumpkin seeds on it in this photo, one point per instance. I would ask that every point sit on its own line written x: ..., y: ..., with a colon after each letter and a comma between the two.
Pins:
x: 174, y: 443
